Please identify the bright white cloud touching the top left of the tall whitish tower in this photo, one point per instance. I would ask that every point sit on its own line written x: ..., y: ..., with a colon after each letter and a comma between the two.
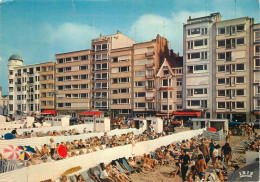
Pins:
x: 148, y: 26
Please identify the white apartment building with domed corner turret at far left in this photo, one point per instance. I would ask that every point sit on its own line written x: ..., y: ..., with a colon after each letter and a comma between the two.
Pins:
x: 23, y: 87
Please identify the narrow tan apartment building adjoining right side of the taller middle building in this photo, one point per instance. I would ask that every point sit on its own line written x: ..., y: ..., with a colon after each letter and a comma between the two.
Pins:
x: 121, y: 77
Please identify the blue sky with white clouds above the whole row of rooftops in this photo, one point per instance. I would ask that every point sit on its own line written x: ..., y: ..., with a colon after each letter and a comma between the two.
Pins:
x: 39, y: 29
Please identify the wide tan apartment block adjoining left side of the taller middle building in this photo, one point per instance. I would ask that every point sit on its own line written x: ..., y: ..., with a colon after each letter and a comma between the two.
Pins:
x: 73, y: 82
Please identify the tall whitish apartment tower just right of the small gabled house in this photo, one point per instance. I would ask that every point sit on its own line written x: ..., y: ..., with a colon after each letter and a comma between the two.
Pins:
x: 199, y: 63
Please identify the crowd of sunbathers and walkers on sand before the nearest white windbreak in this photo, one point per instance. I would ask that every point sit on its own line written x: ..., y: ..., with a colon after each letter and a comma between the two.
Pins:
x: 192, y: 160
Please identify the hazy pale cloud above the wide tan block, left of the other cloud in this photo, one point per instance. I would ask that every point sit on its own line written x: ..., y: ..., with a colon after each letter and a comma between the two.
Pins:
x: 69, y: 37
